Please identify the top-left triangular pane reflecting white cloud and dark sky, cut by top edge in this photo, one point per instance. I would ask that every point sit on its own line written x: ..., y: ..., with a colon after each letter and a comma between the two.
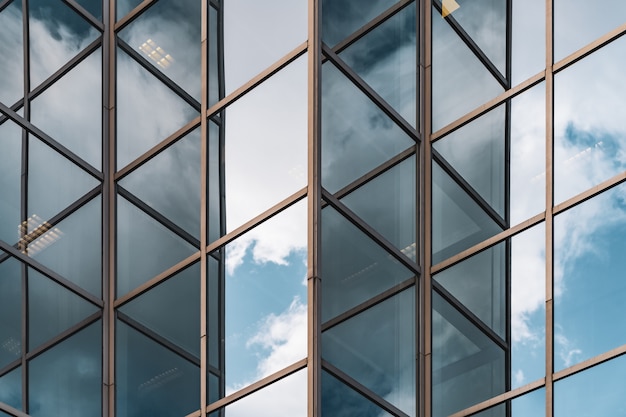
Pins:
x: 57, y: 33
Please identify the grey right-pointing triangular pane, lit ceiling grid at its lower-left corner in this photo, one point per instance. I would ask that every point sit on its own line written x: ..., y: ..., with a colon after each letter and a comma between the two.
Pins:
x: 54, y: 183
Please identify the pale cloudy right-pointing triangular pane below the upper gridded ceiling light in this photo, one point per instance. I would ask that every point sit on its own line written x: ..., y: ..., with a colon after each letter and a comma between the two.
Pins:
x: 148, y: 110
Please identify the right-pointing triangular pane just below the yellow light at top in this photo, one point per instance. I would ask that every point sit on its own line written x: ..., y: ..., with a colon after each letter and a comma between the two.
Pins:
x: 460, y: 81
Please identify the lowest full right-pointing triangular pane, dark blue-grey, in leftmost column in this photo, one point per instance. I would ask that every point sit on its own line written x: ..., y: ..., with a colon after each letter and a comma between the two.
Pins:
x: 52, y: 309
